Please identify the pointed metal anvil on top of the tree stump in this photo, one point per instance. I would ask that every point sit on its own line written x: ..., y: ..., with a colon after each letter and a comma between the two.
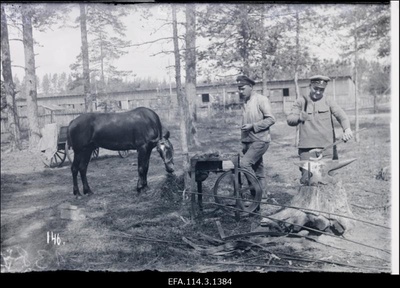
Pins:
x: 321, y: 170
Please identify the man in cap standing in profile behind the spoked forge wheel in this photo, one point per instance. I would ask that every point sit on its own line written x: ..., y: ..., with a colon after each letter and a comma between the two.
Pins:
x: 257, y: 118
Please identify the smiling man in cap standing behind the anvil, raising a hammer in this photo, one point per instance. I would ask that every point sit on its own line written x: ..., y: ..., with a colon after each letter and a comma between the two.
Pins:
x: 314, y: 114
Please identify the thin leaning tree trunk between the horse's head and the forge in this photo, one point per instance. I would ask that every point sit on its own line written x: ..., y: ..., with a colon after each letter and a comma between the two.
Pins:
x: 182, y: 102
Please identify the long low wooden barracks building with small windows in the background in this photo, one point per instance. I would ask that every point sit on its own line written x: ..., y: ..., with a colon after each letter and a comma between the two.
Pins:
x: 281, y: 94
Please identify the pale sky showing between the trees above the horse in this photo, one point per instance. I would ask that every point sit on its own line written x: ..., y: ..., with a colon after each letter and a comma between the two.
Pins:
x: 57, y: 49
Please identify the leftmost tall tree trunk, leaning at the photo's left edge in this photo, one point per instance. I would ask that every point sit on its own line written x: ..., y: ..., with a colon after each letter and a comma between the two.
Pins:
x: 9, y: 87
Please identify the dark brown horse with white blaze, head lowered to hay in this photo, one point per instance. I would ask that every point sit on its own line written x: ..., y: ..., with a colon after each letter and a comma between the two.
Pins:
x: 139, y: 129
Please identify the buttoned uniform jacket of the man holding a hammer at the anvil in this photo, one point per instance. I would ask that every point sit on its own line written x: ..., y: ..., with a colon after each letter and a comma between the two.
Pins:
x: 316, y: 131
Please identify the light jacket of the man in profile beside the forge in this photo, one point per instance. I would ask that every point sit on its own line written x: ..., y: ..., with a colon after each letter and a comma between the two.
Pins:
x: 257, y: 111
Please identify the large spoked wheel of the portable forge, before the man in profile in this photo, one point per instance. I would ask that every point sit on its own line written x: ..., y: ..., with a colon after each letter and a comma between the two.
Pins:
x: 249, y: 192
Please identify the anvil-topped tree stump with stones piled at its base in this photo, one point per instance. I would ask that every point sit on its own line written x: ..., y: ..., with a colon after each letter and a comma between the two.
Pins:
x: 324, y: 194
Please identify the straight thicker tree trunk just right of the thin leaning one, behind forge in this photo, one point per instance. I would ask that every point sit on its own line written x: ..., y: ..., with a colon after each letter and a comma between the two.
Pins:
x: 190, y: 60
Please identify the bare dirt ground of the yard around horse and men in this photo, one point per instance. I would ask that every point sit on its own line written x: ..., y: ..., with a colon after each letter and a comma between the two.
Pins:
x: 124, y: 231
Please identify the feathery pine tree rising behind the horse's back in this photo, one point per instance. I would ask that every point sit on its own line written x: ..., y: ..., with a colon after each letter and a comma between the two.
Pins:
x: 103, y: 36
